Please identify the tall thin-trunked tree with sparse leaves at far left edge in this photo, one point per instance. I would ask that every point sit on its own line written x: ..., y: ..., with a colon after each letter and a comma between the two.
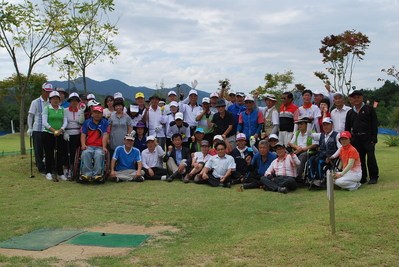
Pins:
x: 35, y: 32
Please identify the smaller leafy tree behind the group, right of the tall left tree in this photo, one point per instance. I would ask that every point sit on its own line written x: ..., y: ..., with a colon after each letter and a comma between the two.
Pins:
x: 93, y: 42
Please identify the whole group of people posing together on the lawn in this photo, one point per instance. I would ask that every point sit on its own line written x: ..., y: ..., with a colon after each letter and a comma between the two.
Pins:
x: 220, y: 141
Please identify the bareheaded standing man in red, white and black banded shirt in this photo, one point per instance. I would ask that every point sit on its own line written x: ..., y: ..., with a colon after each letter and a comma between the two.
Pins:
x: 288, y: 114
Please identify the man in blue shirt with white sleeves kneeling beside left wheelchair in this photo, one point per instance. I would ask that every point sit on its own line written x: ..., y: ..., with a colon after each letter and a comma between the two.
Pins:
x: 123, y: 163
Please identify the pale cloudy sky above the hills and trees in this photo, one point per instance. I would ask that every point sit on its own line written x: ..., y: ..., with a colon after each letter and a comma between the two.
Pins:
x: 177, y: 41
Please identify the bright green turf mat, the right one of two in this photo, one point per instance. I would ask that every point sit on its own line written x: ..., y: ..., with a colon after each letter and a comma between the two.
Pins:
x: 108, y: 240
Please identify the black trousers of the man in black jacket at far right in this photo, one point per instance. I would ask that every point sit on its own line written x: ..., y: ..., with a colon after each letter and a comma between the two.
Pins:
x: 363, y: 145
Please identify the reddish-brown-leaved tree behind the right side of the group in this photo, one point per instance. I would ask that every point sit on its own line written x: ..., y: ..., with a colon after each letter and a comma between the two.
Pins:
x: 342, y: 52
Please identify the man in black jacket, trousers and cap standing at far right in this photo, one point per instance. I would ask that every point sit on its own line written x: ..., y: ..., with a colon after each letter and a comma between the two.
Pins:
x: 362, y: 122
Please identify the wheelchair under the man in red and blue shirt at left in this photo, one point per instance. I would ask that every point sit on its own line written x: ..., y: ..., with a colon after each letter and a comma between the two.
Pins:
x: 77, y: 169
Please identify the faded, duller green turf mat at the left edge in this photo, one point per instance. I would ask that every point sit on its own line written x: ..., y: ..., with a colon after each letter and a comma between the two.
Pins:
x: 40, y: 239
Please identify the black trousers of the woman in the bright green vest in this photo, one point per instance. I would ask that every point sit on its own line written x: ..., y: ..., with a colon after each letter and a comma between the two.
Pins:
x: 52, y: 143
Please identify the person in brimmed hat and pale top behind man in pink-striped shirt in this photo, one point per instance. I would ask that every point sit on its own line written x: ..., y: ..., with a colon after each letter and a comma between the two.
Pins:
x: 302, y: 145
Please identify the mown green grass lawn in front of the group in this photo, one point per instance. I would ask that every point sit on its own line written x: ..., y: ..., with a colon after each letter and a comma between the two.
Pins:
x: 218, y: 226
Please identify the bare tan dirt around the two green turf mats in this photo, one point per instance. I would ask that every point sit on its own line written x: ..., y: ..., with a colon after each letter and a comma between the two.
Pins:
x: 77, y: 252
